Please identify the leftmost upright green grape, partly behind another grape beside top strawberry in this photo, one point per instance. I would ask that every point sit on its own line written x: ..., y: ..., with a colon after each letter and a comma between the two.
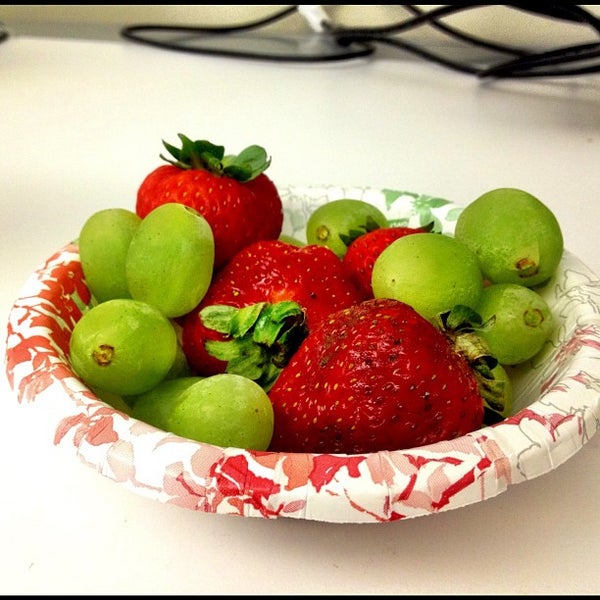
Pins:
x: 103, y: 244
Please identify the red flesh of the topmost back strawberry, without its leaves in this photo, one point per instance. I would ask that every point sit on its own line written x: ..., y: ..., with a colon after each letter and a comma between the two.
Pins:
x: 238, y: 213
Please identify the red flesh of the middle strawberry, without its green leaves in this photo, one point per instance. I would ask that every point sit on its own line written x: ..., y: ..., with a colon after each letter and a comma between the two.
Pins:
x: 269, y: 271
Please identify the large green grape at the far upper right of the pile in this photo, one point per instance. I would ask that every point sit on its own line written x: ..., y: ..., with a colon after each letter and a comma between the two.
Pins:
x: 509, y: 229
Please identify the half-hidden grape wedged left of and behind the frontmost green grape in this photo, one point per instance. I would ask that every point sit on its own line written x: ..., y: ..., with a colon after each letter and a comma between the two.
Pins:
x: 155, y: 405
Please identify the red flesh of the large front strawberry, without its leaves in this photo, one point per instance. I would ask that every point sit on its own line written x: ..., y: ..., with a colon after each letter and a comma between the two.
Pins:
x: 372, y: 377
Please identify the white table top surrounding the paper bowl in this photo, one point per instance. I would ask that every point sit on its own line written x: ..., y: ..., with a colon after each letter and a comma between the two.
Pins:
x: 81, y: 124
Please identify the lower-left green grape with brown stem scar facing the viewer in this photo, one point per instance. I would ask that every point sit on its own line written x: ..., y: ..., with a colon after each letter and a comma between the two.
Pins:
x: 123, y: 346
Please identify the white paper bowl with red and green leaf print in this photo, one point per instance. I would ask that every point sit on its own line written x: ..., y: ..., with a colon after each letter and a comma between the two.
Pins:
x: 557, y: 406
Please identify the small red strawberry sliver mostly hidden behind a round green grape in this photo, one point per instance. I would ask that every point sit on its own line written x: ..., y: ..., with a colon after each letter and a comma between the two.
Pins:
x: 364, y: 250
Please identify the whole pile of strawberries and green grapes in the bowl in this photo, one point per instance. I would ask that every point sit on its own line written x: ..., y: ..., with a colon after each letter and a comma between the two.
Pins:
x: 210, y: 324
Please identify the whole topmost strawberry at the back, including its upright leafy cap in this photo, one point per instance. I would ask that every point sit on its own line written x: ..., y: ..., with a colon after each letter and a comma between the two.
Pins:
x: 240, y: 203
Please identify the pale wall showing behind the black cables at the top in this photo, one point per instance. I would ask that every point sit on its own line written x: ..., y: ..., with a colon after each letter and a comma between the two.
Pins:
x: 495, y: 22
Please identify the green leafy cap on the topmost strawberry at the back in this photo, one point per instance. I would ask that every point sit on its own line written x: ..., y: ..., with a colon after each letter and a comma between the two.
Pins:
x: 202, y: 154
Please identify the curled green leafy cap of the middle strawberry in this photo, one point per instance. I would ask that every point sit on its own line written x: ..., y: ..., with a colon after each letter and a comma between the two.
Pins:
x: 261, y: 340
